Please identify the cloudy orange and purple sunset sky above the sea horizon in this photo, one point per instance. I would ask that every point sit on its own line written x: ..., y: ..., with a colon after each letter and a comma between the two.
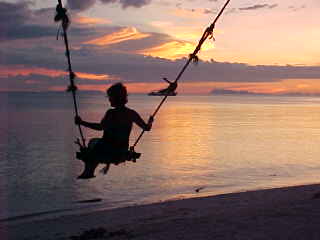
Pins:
x: 259, y: 46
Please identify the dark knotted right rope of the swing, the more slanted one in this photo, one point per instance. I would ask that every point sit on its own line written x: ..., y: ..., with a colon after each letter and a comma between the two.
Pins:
x: 192, y: 57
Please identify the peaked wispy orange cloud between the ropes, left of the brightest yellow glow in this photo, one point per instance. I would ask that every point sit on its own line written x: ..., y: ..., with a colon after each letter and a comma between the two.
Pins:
x: 125, y: 34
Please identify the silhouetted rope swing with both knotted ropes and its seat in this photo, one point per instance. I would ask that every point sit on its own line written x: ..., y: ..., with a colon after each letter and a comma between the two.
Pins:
x: 86, y: 152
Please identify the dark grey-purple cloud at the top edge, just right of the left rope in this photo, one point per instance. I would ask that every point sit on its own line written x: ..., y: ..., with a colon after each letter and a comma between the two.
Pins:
x: 81, y: 5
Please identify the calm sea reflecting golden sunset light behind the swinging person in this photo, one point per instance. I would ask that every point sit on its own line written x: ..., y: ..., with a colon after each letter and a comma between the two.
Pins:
x: 218, y: 143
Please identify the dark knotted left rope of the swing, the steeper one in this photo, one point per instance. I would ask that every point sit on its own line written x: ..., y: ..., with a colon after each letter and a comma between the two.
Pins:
x: 65, y: 22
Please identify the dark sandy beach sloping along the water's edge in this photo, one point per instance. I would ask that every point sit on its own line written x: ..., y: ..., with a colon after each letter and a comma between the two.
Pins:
x: 283, y: 213
